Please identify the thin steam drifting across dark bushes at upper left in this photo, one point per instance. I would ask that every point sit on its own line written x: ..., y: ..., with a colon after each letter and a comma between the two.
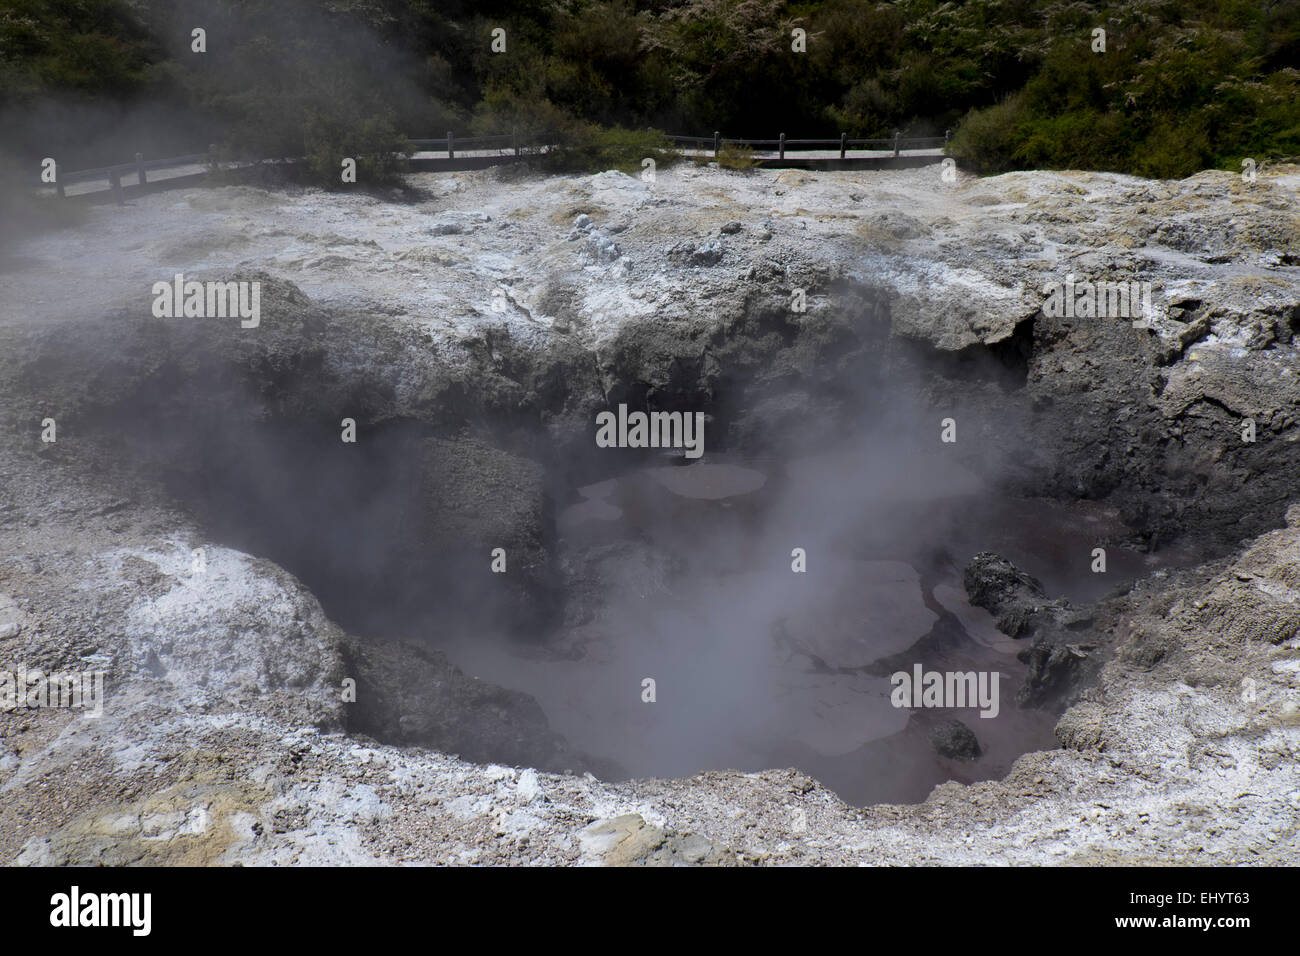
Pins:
x: 267, y: 68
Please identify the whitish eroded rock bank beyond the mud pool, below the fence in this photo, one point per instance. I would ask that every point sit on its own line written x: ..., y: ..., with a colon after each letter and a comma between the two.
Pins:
x: 518, y: 325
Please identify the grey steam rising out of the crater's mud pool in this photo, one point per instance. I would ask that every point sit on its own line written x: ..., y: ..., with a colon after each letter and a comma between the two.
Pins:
x: 677, y: 572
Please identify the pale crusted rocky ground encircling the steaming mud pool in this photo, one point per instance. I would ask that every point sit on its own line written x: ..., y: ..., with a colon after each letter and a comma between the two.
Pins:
x: 224, y: 739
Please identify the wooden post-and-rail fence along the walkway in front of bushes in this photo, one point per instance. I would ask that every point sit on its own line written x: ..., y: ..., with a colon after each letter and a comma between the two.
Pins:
x: 509, y: 145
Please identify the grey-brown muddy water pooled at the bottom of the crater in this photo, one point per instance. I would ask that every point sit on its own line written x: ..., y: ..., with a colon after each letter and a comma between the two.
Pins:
x: 760, y: 667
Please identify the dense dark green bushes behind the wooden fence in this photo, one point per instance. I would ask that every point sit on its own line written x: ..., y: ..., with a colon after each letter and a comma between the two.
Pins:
x: 1182, y: 85
